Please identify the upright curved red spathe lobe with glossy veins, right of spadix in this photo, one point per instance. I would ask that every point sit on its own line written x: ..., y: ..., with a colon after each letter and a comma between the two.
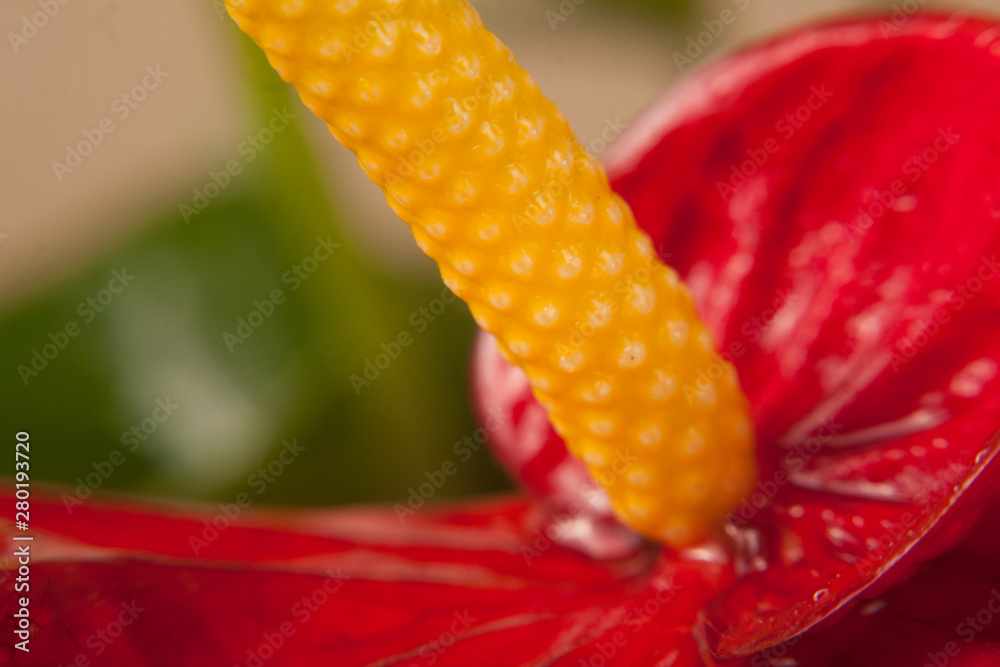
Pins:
x: 833, y: 200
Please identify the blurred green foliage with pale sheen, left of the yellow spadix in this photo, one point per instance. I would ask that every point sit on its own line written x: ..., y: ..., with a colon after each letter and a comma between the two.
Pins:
x: 176, y: 335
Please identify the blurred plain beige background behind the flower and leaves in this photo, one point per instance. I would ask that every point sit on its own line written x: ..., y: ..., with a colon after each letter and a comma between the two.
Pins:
x: 63, y: 78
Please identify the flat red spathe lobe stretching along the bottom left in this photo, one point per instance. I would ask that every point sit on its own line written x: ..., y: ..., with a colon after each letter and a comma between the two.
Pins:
x: 479, y: 585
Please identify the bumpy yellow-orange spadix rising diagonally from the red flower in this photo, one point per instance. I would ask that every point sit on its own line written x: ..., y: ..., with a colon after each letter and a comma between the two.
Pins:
x: 526, y: 230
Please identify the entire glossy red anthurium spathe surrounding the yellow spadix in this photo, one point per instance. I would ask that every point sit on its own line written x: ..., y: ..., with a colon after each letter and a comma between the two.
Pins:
x: 831, y: 200
